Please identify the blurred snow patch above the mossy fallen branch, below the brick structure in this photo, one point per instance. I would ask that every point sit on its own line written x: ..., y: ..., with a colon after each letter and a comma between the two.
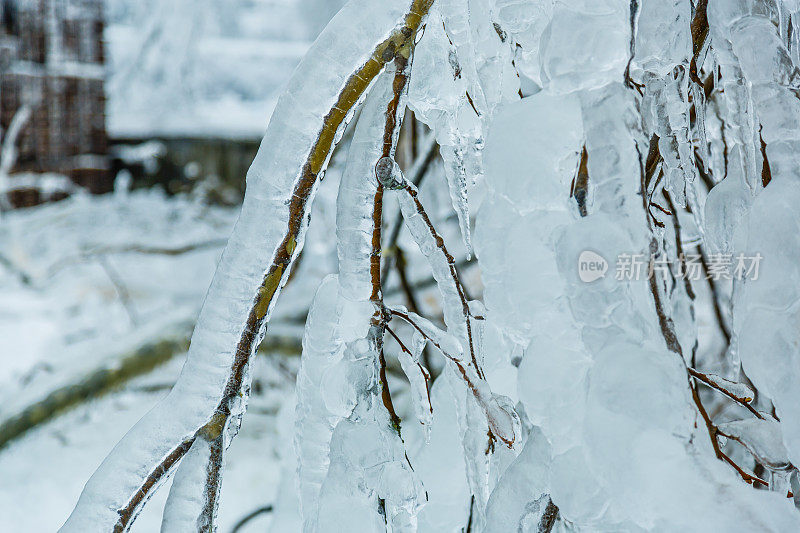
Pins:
x: 70, y: 306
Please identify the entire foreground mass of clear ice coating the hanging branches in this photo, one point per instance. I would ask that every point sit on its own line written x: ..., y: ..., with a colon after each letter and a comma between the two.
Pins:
x: 638, y: 143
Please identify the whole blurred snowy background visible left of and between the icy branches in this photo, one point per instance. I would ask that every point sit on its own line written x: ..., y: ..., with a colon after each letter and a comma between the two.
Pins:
x: 126, y: 130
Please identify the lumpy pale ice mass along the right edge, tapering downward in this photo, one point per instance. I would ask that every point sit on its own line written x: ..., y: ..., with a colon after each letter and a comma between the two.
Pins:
x: 751, y: 44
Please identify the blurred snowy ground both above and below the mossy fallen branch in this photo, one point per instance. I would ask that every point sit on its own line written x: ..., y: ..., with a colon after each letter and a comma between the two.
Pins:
x: 84, y: 283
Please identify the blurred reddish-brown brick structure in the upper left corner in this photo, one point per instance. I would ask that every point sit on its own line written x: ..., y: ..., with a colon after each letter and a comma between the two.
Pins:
x: 52, y: 59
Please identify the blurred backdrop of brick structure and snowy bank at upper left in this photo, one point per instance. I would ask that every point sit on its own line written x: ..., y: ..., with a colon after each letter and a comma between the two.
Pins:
x: 164, y: 91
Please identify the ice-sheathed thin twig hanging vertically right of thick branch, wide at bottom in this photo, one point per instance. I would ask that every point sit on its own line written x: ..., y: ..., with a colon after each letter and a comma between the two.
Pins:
x: 355, y: 397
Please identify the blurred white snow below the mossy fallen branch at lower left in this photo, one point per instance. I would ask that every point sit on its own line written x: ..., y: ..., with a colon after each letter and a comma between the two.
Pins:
x: 44, y: 472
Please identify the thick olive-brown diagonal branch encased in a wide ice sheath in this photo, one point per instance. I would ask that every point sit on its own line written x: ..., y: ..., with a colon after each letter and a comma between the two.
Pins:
x: 212, y: 391
